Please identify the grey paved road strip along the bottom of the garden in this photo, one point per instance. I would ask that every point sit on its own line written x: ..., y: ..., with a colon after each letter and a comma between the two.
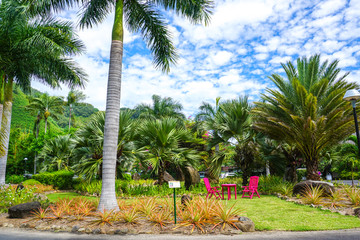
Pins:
x: 15, y: 234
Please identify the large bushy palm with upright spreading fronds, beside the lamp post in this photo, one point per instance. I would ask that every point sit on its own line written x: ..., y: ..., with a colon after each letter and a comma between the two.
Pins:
x: 307, y: 109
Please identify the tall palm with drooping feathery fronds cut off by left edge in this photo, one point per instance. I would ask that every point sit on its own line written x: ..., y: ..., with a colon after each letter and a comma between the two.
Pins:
x: 32, y: 49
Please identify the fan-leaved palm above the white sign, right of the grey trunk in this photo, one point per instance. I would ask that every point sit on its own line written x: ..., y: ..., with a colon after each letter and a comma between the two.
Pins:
x: 161, y: 138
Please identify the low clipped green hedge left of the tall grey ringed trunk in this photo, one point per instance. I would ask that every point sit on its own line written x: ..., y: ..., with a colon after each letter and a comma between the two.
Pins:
x: 60, y: 179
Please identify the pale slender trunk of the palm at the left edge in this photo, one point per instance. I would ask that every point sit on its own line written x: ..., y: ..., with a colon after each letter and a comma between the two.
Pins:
x: 5, y: 129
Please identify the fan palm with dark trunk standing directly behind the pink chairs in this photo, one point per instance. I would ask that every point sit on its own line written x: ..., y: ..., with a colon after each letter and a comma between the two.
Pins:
x: 230, y: 123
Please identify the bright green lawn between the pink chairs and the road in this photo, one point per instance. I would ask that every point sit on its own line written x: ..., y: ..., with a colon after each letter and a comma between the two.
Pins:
x: 272, y: 213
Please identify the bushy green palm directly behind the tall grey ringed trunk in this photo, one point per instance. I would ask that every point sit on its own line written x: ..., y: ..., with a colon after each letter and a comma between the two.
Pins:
x: 89, y: 144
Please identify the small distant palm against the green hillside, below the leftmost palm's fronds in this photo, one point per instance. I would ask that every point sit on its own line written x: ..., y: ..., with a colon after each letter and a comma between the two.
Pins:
x: 47, y: 106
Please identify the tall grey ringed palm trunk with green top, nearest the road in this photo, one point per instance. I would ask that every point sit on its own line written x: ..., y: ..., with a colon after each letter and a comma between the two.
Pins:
x: 108, y: 196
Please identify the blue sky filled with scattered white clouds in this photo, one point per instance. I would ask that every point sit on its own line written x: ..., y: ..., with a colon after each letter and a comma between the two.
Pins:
x: 233, y: 56
